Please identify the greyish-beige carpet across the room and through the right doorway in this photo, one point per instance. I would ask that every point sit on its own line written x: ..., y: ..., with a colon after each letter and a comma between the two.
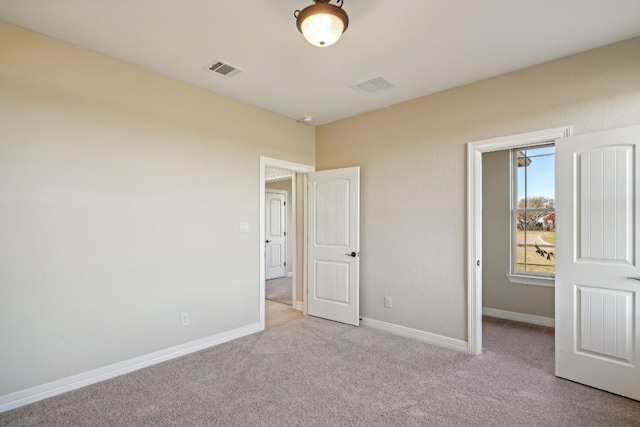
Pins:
x: 312, y: 372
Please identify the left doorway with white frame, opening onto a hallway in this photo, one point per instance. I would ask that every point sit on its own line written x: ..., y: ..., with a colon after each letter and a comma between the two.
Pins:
x: 275, y: 175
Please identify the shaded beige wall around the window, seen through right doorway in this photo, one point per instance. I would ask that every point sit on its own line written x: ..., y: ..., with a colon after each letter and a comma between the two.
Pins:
x: 497, y: 291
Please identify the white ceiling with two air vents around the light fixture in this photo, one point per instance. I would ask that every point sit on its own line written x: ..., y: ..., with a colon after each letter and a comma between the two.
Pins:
x: 423, y: 46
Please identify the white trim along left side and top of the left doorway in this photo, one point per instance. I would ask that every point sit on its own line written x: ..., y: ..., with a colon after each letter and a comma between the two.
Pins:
x: 288, y: 166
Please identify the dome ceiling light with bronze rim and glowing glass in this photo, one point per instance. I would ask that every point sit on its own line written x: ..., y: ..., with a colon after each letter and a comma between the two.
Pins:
x: 322, y: 23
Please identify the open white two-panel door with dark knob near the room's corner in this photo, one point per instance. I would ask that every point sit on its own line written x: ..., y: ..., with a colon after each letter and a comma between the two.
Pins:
x: 334, y: 245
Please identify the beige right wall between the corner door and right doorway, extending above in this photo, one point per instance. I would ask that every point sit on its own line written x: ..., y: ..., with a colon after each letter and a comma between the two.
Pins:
x: 413, y: 165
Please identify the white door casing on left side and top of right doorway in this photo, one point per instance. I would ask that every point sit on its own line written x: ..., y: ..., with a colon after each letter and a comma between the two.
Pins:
x: 474, y: 219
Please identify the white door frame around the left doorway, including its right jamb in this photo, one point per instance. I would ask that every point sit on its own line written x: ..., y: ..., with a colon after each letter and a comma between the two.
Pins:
x: 266, y: 162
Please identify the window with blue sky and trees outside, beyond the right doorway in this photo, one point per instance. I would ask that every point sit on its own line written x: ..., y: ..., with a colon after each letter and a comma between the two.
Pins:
x: 533, y: 217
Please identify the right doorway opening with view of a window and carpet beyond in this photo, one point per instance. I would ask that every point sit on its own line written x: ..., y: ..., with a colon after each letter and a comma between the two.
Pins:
x: 518, y: 233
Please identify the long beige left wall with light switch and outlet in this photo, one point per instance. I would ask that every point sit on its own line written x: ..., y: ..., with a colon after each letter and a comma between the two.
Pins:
x: 121, y: 194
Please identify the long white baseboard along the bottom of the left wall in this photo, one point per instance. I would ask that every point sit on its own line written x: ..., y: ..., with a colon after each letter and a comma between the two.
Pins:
x: 63, y: 385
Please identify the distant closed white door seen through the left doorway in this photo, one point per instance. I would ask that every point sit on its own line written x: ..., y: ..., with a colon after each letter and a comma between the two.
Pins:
x: 275, y: 234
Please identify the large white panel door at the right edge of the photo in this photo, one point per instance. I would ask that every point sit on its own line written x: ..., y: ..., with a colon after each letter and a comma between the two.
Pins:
x: 598, y: 276
